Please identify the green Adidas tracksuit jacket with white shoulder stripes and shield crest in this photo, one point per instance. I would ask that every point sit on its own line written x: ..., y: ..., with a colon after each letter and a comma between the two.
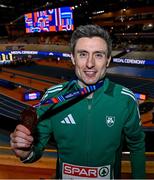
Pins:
x: 89, y: 132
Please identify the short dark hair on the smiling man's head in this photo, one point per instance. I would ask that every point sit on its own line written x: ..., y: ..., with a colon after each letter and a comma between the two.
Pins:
x: 91, y: 31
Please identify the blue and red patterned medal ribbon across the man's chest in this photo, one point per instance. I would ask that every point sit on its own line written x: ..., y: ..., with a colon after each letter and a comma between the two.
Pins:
x: 68, y: 96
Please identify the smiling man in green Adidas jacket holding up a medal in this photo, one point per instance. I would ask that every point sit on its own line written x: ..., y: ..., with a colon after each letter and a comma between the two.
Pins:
x: 89, y: 129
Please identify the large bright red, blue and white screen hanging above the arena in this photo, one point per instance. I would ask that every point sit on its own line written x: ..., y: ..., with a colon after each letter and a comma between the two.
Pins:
x: 58, y: 19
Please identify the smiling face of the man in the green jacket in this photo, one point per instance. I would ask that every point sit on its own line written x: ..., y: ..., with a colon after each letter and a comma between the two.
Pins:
x: 90, y: 59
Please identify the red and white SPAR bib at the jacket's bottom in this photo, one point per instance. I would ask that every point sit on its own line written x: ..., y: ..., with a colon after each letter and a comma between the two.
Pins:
x: 70, y: 171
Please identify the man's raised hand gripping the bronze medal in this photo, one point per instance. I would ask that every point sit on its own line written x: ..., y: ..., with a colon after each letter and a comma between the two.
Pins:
x: 21, y: 141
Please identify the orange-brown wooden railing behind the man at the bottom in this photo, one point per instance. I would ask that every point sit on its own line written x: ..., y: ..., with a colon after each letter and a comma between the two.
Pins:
x: 11, y: 167
